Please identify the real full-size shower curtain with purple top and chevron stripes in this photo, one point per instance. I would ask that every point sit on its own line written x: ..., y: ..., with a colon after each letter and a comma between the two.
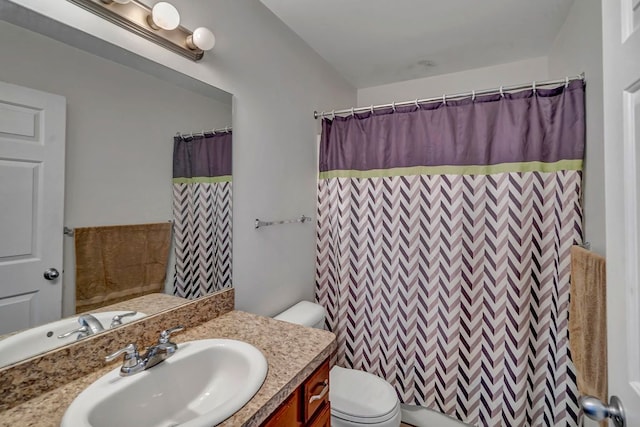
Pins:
x: 444, y: 233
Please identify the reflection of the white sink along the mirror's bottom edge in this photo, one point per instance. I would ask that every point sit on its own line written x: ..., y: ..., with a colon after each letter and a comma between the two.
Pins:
x: 44, y: 338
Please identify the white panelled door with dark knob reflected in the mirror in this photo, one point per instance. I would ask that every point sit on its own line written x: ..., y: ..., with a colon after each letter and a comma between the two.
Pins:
x: 32, y: 142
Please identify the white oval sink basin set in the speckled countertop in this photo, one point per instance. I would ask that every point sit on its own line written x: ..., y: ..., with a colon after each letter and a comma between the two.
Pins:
x: 204, y: 383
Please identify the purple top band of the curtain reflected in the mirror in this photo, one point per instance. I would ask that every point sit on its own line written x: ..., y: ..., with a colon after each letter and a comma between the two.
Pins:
x: 202, y: 156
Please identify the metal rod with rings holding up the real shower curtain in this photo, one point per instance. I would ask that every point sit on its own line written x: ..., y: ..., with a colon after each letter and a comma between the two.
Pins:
x: 533, y: 85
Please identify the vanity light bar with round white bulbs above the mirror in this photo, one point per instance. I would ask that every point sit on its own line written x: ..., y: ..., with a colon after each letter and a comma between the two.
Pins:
x: 159, y: 24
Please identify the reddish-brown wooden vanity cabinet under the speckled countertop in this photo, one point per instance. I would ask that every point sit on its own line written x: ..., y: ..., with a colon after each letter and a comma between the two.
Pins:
x: 308, y: 405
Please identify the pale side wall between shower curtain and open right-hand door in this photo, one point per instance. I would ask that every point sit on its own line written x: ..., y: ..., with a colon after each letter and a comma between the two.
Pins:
x: 578, y: 48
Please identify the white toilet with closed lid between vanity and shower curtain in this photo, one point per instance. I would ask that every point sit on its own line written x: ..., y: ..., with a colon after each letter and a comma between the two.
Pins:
x: 357, y: 398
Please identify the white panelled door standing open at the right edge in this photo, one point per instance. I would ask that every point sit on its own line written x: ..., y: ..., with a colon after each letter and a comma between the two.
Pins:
x: 621, y: 57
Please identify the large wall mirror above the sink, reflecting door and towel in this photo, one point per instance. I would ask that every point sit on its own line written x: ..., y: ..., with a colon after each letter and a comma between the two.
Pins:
x: 117, y: 120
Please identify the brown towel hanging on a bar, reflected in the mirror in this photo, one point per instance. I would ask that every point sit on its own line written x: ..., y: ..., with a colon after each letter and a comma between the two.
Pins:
x: 117, y: 263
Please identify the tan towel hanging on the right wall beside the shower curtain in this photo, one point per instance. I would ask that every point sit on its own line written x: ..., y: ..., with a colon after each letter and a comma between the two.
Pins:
x: 588, y: 322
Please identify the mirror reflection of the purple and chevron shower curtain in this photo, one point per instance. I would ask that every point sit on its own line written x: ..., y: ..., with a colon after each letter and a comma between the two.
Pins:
x: 202, y: 214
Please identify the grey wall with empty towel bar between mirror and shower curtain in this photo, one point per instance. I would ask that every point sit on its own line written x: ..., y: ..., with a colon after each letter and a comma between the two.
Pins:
x: 277, y: 82
